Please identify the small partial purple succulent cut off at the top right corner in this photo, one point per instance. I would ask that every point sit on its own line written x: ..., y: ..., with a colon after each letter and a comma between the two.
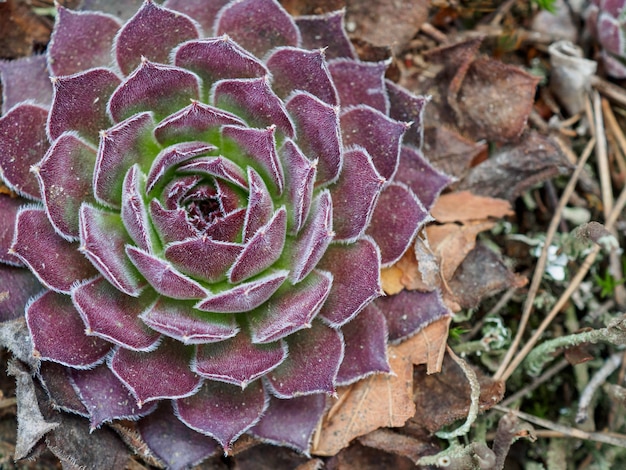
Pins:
x: 606, y: 21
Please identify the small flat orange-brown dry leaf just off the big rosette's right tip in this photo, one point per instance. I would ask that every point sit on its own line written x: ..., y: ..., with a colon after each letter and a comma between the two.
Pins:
x: 464, y: 206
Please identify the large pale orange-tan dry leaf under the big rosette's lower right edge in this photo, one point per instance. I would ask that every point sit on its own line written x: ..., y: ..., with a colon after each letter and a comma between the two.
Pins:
x: 382, y: 400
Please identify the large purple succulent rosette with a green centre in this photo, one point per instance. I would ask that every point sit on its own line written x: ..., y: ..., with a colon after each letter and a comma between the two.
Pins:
x: 201, y: 219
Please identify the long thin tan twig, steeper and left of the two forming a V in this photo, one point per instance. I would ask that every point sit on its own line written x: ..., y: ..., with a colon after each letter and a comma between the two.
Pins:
x: 541, y: 263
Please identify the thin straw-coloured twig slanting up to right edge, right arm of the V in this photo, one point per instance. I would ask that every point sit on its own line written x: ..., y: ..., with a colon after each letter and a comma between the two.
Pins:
x: 574, y: 283
